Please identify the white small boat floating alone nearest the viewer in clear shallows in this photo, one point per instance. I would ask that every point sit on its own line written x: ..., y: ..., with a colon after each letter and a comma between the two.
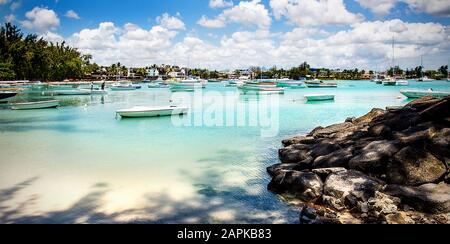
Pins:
x: 139, y: 112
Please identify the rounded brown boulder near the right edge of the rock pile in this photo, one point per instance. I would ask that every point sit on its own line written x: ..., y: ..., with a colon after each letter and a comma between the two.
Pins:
x: 414, y: 166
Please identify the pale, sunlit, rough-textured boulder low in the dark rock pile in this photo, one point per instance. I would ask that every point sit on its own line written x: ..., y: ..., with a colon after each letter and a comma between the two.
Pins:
x: 342, y: 184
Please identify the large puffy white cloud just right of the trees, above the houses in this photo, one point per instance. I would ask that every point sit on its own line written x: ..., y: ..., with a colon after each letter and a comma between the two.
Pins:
x: 131, y: 44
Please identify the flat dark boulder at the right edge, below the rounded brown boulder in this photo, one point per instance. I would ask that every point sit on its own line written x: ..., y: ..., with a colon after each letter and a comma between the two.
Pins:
x: 429, y: 198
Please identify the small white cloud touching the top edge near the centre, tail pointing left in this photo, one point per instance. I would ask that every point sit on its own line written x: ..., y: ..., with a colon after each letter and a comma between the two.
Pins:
x: 247, y: 13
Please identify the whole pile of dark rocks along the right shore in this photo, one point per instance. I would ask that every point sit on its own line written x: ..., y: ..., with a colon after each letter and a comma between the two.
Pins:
x: 388, y: 166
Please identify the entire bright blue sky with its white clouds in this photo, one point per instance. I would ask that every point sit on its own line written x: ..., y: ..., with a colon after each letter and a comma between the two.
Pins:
x: 308, y: 28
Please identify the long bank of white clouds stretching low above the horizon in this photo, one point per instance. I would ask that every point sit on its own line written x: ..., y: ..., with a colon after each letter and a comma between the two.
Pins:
x: 350, y: 48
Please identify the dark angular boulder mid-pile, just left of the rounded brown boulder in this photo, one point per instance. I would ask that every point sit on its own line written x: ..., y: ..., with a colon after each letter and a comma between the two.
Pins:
x: 374, y: 157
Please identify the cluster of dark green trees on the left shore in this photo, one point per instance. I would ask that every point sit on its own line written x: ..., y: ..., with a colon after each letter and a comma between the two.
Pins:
x: 32, y: 58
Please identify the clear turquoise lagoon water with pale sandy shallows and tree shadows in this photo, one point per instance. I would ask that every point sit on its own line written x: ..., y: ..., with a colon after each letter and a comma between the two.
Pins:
x: 81, y: 164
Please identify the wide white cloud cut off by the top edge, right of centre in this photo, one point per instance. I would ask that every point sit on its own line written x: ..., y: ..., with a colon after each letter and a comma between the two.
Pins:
x: 314, y: 12
